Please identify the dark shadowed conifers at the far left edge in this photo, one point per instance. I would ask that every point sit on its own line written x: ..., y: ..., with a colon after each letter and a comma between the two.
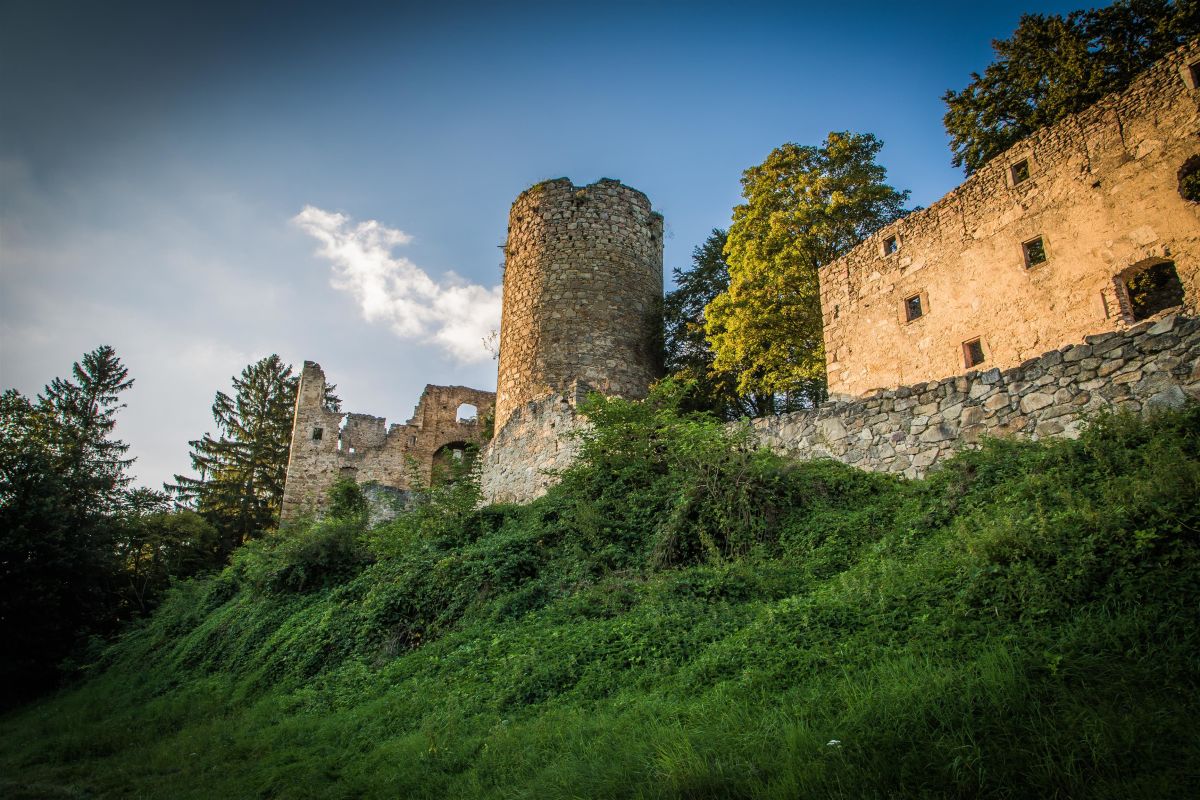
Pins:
x: 62, y: 480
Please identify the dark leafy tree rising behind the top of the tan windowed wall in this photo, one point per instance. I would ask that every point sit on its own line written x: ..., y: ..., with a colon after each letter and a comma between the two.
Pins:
x: 1054, y: 67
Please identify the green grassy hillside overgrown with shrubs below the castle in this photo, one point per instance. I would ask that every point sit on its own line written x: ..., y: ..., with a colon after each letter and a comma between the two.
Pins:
x: 682, y: 618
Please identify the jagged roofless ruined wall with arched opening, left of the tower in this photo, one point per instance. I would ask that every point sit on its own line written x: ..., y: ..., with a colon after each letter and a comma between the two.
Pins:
x: 328, y: 446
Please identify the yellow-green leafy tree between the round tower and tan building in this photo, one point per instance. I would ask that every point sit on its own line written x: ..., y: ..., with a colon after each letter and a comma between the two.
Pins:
x: 806, y: 207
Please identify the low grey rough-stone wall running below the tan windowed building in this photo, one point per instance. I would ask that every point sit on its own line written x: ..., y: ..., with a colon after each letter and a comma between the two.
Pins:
x: 909, y: 430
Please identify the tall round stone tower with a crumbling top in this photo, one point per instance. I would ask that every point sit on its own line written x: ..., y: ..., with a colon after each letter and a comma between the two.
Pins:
x: 583, y: 291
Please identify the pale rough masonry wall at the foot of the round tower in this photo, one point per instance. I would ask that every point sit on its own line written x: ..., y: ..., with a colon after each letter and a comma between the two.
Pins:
x: 537, y: 441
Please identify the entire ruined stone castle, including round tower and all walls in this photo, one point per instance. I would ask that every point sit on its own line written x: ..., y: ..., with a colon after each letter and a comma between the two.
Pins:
x: 1039, y: 292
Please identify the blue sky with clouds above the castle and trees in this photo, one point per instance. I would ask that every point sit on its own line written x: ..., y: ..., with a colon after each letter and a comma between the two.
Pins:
x: 195, y: 184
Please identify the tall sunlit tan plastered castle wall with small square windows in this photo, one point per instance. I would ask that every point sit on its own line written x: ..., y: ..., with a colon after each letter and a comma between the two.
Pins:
x: 1103, y: 194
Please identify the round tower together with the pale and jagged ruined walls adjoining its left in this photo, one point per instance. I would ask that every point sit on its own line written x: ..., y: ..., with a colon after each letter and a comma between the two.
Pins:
x: 583, y: 286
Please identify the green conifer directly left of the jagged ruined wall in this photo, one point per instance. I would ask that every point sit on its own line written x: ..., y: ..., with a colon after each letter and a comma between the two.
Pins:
x: 243, y: 470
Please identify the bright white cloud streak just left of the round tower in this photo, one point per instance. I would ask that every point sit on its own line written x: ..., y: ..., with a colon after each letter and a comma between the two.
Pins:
x: 453, y: 314
